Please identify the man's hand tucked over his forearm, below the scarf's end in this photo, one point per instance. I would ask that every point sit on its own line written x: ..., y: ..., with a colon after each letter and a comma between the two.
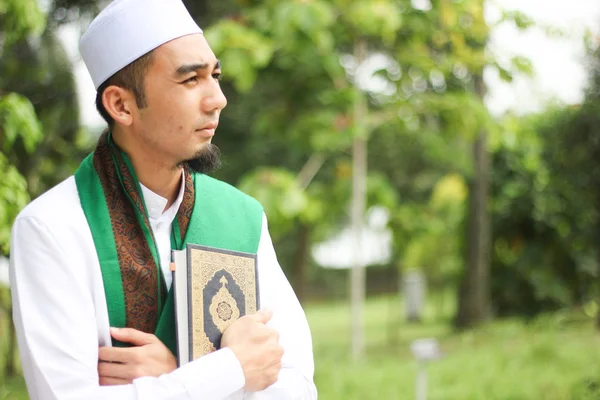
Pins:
x: 149, y: 357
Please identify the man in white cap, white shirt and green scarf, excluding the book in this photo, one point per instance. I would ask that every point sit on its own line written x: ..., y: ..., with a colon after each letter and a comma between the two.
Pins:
x: 90, y: 258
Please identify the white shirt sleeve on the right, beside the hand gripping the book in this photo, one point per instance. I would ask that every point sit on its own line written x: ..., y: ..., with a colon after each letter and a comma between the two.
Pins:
x: 296, y: 377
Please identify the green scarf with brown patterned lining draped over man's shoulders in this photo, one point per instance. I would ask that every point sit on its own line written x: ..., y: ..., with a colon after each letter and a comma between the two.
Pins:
x: 212, y: 213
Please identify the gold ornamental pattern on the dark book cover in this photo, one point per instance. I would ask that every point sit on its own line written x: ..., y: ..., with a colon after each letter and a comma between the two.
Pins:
x: 223, y: 309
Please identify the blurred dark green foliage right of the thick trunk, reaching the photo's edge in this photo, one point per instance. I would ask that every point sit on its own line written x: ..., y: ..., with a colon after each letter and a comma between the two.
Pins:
x: 546, y: 208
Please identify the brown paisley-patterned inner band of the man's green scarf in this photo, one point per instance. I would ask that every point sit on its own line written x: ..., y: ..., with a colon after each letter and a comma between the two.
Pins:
x: 143, y: 283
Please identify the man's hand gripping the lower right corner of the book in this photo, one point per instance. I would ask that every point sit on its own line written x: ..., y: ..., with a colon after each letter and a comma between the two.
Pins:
x: 257, y: 348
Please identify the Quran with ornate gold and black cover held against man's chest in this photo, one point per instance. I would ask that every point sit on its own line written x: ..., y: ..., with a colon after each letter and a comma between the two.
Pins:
x: 213, y: 288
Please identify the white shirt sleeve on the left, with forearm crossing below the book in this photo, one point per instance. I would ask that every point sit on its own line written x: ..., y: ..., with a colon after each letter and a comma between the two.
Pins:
x: 55, y: 321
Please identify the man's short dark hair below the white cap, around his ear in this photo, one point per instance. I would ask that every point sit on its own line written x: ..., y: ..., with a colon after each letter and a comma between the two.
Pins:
x: 131, y: 77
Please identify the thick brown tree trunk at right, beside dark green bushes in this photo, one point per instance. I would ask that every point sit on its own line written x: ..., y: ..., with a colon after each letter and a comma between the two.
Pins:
x: 474, y: 294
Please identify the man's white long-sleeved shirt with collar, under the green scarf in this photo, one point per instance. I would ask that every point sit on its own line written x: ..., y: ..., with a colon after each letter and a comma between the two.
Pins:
x: 61, y: 316
